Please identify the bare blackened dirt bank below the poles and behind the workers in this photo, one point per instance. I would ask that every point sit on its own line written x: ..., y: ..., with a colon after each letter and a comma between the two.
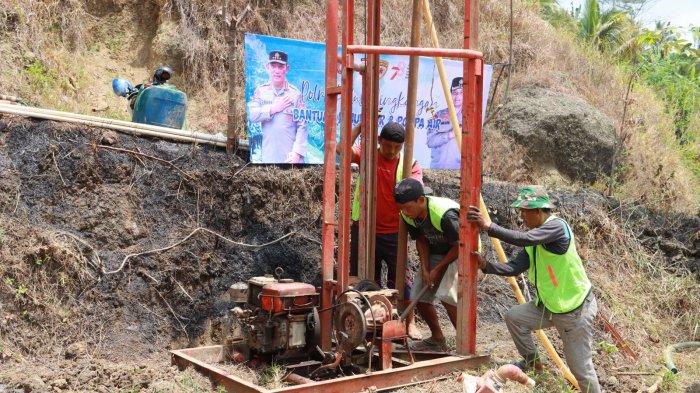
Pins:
x: 75, y: 203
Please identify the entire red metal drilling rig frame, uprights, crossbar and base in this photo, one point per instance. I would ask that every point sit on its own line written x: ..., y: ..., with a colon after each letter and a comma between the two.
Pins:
x: 335, y: 276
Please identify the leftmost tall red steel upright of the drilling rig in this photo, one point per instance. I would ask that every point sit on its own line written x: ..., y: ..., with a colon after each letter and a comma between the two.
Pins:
x: 329, y: 174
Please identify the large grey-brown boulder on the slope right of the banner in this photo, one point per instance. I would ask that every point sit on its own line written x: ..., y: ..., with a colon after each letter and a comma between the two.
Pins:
x: 561, y: 131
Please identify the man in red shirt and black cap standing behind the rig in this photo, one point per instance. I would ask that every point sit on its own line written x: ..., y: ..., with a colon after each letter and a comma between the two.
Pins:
x: 389, y: 173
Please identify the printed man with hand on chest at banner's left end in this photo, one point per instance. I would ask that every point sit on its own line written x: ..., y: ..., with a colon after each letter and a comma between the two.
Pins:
x: 284, y: 140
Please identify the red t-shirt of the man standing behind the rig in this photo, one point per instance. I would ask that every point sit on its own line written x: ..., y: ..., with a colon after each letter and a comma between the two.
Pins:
x: 387, y: 211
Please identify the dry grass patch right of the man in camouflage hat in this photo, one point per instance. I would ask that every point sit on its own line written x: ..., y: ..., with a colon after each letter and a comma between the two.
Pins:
x: 655, y: 307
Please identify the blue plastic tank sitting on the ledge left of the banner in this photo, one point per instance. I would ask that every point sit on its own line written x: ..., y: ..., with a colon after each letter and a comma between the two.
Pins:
x: 162, y: 105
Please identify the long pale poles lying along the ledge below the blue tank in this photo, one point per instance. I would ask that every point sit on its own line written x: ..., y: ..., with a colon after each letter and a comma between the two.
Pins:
x: 118, y: 125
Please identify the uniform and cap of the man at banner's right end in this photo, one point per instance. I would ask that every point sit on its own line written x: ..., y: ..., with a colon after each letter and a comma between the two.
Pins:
x: 444, y: 152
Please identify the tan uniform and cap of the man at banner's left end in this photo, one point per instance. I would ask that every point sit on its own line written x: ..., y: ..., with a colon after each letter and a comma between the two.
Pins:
x: 281, y: 134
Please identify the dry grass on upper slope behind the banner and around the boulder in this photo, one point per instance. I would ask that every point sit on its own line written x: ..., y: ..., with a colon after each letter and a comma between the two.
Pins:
x: 188, y: 34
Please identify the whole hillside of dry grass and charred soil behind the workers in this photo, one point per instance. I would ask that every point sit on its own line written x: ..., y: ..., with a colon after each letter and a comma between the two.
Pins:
x: 71, y: 210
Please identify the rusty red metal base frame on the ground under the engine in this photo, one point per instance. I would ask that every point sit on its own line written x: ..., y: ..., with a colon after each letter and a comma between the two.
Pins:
x: 202, y: 359
